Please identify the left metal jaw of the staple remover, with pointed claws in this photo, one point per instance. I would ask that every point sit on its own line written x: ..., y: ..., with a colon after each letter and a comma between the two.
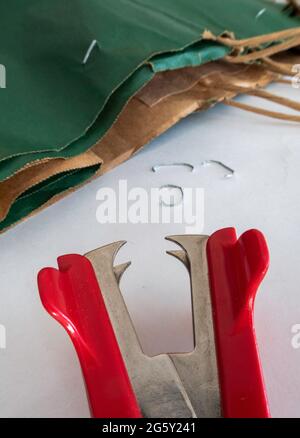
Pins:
x: 157, y: 386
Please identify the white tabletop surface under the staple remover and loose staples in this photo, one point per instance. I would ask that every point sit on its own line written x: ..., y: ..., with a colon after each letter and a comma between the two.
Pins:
x: 39, y: 372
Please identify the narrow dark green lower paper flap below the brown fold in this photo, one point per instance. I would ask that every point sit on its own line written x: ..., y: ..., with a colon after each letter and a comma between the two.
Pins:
x: 44, y: 192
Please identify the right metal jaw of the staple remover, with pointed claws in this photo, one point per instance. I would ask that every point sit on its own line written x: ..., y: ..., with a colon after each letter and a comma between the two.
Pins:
x: 198, y: 370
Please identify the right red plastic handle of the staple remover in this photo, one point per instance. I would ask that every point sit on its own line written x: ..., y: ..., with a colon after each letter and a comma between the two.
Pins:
x: 236, y: 269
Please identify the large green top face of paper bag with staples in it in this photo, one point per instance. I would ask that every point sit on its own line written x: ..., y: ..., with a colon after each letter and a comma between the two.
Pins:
x: 52, y: 98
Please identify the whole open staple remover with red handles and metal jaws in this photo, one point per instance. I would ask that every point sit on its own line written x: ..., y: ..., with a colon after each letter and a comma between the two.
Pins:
x: 221, y: 376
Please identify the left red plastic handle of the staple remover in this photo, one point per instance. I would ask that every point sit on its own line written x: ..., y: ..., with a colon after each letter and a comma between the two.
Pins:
x: 73, y: 297
